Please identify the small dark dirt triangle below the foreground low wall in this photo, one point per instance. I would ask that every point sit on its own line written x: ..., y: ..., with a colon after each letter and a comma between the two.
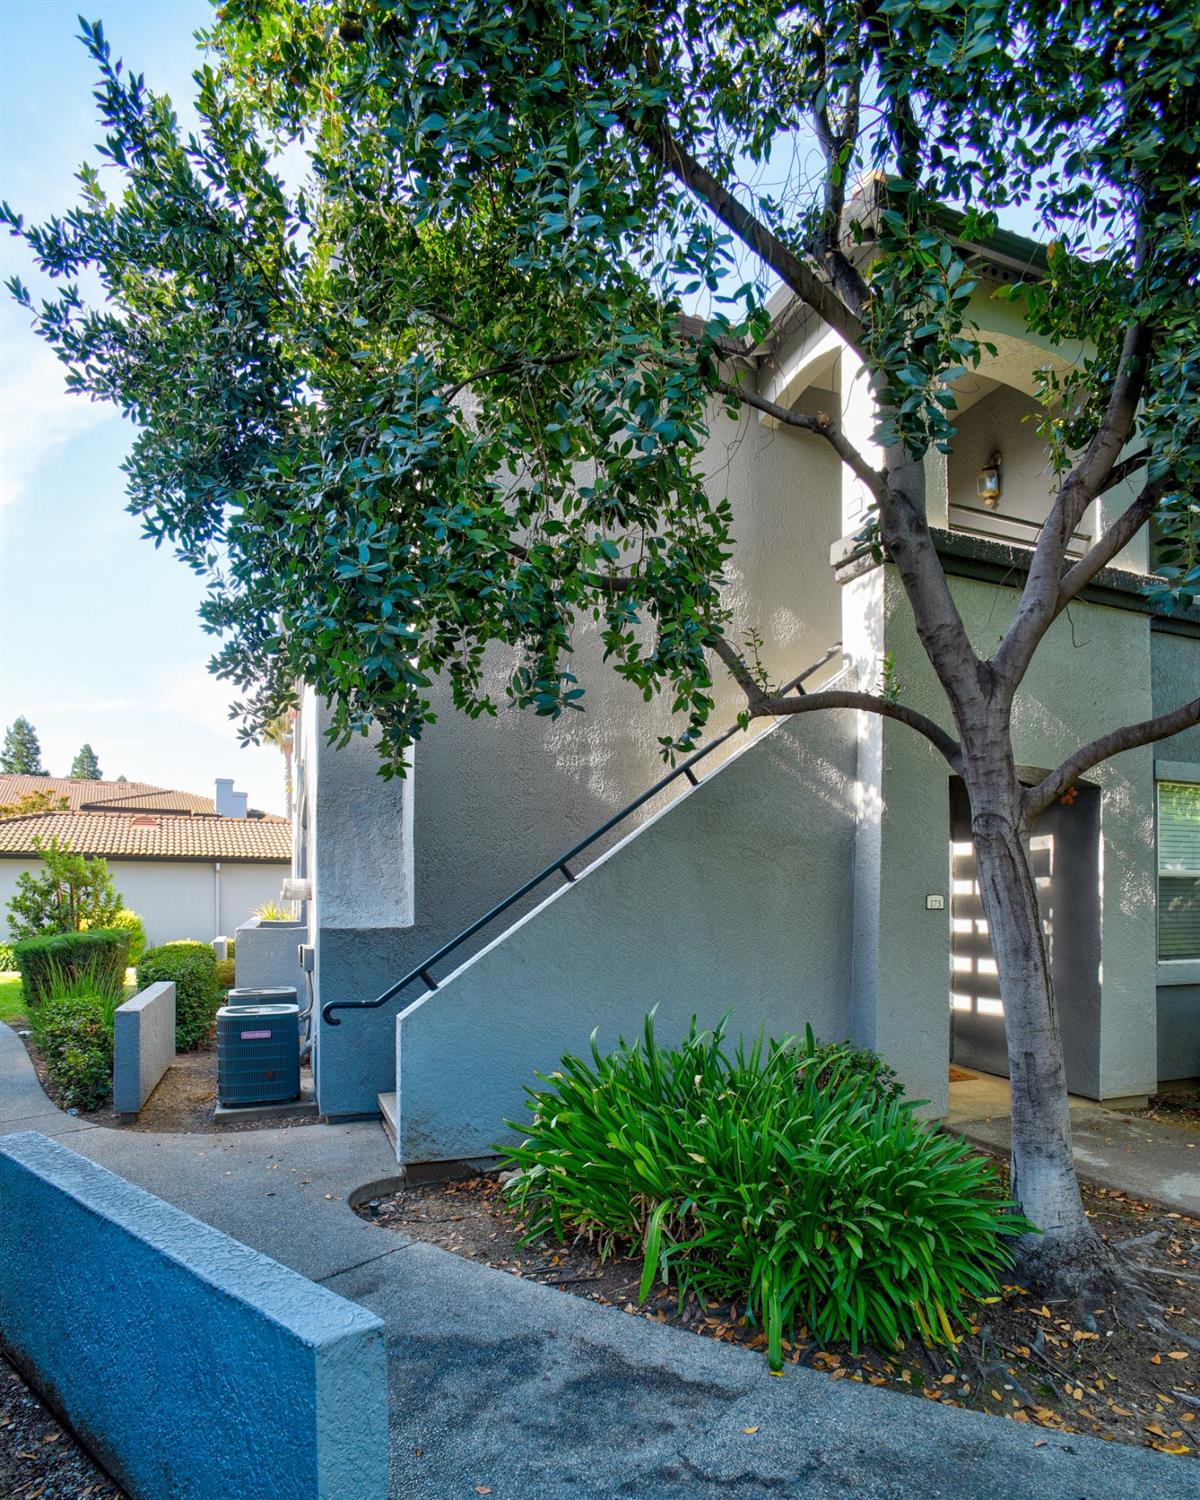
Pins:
x: 40, y: 1460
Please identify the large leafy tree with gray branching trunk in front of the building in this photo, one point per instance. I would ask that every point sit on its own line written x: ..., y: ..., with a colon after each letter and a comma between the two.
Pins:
x: 364, y: 406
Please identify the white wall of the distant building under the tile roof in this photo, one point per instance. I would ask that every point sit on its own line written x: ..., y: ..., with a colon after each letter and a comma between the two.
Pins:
x: 178, y: 898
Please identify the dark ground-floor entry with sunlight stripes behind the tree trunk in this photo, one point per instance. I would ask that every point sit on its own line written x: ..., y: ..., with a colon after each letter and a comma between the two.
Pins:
x: 1064, y: 853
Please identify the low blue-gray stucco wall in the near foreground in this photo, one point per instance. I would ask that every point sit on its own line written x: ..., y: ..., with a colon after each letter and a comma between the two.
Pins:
x: 191, y: 1366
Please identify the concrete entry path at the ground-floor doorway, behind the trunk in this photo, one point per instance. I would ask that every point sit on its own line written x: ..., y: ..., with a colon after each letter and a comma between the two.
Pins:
x: 1145, y: 1159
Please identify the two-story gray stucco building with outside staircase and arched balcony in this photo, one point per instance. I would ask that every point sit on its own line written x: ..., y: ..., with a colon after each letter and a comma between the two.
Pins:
x: 820, y: 872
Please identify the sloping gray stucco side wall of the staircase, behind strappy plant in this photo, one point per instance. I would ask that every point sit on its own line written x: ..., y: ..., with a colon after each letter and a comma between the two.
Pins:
x: 737, y: 899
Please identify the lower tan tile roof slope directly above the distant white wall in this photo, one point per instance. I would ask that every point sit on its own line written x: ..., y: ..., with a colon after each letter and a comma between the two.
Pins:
x: 151, y: 836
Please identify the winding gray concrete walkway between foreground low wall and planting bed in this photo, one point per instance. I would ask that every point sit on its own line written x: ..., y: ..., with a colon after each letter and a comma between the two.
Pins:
x: 517, y: 1390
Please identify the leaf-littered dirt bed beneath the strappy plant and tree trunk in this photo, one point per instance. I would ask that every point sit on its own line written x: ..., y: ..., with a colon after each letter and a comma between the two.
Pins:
x: 1022, y: 1358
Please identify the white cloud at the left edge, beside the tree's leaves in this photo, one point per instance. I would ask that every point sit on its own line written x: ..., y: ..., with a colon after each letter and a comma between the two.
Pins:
x: 37, y: 413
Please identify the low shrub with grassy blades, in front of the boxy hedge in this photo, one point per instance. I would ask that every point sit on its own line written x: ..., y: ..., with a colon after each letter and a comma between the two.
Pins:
x: 74, y: 1033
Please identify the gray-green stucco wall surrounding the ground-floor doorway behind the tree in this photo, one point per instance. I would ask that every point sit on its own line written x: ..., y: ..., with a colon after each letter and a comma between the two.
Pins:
x: 1091, y: 674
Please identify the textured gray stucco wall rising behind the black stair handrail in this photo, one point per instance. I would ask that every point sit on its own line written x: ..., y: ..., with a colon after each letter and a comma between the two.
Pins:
x: 494, y: 800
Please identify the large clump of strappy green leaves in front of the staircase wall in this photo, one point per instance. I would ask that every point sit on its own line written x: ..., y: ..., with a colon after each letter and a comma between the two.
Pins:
x: 806, y: 1198
